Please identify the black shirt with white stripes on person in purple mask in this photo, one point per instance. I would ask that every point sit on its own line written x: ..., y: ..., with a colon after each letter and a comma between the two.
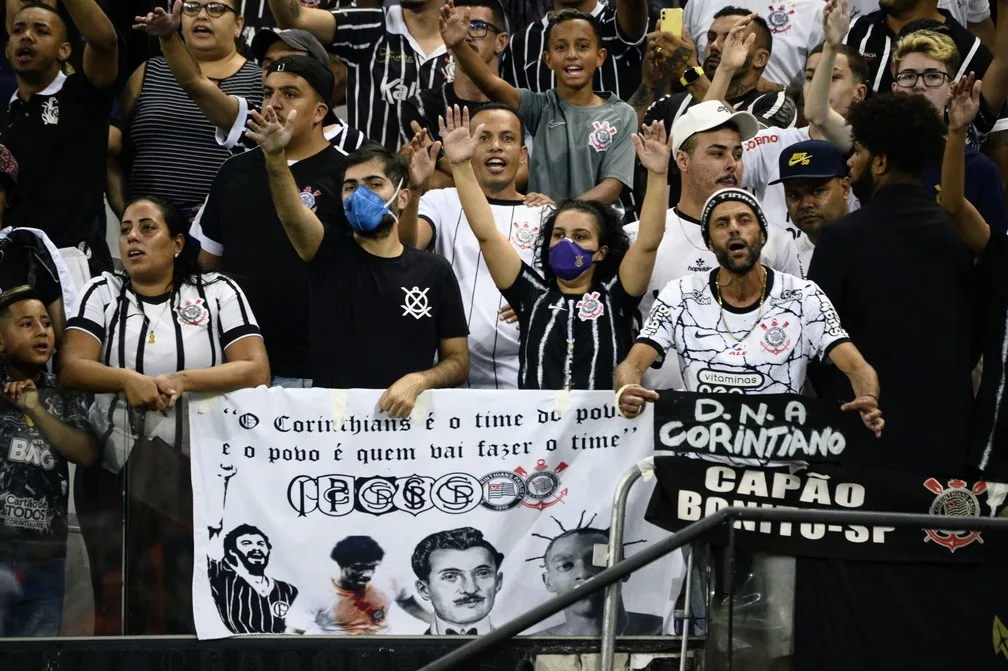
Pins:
x: 570, y: 342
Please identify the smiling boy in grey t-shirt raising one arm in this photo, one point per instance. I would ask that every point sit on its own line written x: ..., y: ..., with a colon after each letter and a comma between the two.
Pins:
x: 581, y: 139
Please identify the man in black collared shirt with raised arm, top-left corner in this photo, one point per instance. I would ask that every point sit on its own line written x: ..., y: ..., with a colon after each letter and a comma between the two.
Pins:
x: 58, y: 125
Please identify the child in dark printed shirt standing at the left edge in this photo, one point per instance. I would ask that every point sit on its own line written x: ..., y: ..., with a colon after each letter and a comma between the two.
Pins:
x: 41, y: 431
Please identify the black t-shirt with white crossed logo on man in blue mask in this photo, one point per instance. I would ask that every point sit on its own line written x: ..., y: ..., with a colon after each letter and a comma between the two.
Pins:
x: 375, y: 320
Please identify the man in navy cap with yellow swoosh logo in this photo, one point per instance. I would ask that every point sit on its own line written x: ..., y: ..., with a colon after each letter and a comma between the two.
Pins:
x: 817, y: 189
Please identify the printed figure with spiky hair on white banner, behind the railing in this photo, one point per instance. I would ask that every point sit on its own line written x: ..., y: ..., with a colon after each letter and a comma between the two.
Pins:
x: 568, y: 563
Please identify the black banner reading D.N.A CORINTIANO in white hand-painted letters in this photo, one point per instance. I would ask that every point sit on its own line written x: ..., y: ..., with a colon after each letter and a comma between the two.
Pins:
x: 767, y: 428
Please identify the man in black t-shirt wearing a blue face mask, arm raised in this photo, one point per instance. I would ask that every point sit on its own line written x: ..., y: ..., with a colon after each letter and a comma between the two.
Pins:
x: 382, y: 312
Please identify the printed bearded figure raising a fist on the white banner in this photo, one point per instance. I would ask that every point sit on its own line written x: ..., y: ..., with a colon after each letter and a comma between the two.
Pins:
x: 248, y: 601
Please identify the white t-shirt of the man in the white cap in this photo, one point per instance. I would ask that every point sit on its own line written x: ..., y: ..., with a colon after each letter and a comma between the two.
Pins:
x: 683, y: 252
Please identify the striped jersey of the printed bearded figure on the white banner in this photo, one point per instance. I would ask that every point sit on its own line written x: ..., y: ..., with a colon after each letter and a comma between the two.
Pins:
x: 243, y: 610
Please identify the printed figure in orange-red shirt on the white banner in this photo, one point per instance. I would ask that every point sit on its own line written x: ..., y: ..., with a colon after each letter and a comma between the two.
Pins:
x: 356, y: 606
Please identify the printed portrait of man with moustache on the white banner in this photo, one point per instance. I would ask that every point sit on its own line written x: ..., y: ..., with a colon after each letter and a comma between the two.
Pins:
x: 458, y: 571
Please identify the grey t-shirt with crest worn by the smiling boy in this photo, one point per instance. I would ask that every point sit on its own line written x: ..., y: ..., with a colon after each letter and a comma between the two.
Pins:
x: 575, y: 149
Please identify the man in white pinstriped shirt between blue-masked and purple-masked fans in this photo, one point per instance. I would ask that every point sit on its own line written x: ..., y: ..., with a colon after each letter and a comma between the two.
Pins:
x: 441, y: 226
